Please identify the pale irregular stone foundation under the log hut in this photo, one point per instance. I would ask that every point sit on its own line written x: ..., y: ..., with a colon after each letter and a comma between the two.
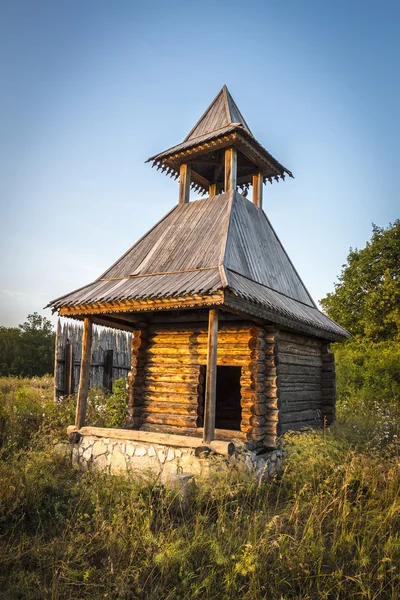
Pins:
x: 137, y: 458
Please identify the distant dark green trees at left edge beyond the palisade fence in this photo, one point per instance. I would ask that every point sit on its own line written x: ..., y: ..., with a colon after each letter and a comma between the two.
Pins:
x: 27, y: 350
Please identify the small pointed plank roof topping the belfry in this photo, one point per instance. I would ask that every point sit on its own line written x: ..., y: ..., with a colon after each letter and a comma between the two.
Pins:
x: 222, y: 112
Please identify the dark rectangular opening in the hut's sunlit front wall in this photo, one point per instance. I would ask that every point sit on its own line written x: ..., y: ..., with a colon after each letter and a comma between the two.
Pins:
x: 228, y: 409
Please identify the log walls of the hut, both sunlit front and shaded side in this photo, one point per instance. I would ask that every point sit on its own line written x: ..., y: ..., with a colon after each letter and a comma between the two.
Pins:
x: 287, y: 380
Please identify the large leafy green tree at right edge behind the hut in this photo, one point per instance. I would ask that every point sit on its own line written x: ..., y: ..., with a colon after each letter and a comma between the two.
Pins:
x: 366, y: 300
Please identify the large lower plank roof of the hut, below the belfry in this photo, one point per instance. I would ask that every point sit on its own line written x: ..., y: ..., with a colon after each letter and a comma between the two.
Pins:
x: 224, y: 243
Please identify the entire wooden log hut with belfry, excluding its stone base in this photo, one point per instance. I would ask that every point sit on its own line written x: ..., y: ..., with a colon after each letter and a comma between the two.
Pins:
x: 227, y: 342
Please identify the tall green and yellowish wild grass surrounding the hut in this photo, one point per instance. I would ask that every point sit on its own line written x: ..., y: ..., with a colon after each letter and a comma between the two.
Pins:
x: 327, y: 528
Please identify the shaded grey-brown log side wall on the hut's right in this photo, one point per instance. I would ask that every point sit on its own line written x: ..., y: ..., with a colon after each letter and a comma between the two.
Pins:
x: 301, y: 383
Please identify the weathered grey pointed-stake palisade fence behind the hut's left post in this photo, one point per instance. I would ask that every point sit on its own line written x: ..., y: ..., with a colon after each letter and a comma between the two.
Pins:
x: 110, y: 360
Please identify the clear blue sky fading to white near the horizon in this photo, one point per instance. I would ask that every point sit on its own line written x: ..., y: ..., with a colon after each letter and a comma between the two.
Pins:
x: 90, y: 89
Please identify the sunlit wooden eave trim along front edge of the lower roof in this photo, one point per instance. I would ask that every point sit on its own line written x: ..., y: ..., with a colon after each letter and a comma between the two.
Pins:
x: 137, y: 306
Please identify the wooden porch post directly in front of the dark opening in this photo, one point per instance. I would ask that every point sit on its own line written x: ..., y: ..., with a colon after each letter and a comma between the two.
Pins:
x: 211, y: 377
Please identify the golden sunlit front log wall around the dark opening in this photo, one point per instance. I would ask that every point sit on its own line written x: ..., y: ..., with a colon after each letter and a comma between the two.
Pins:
x: 167, y: 379
